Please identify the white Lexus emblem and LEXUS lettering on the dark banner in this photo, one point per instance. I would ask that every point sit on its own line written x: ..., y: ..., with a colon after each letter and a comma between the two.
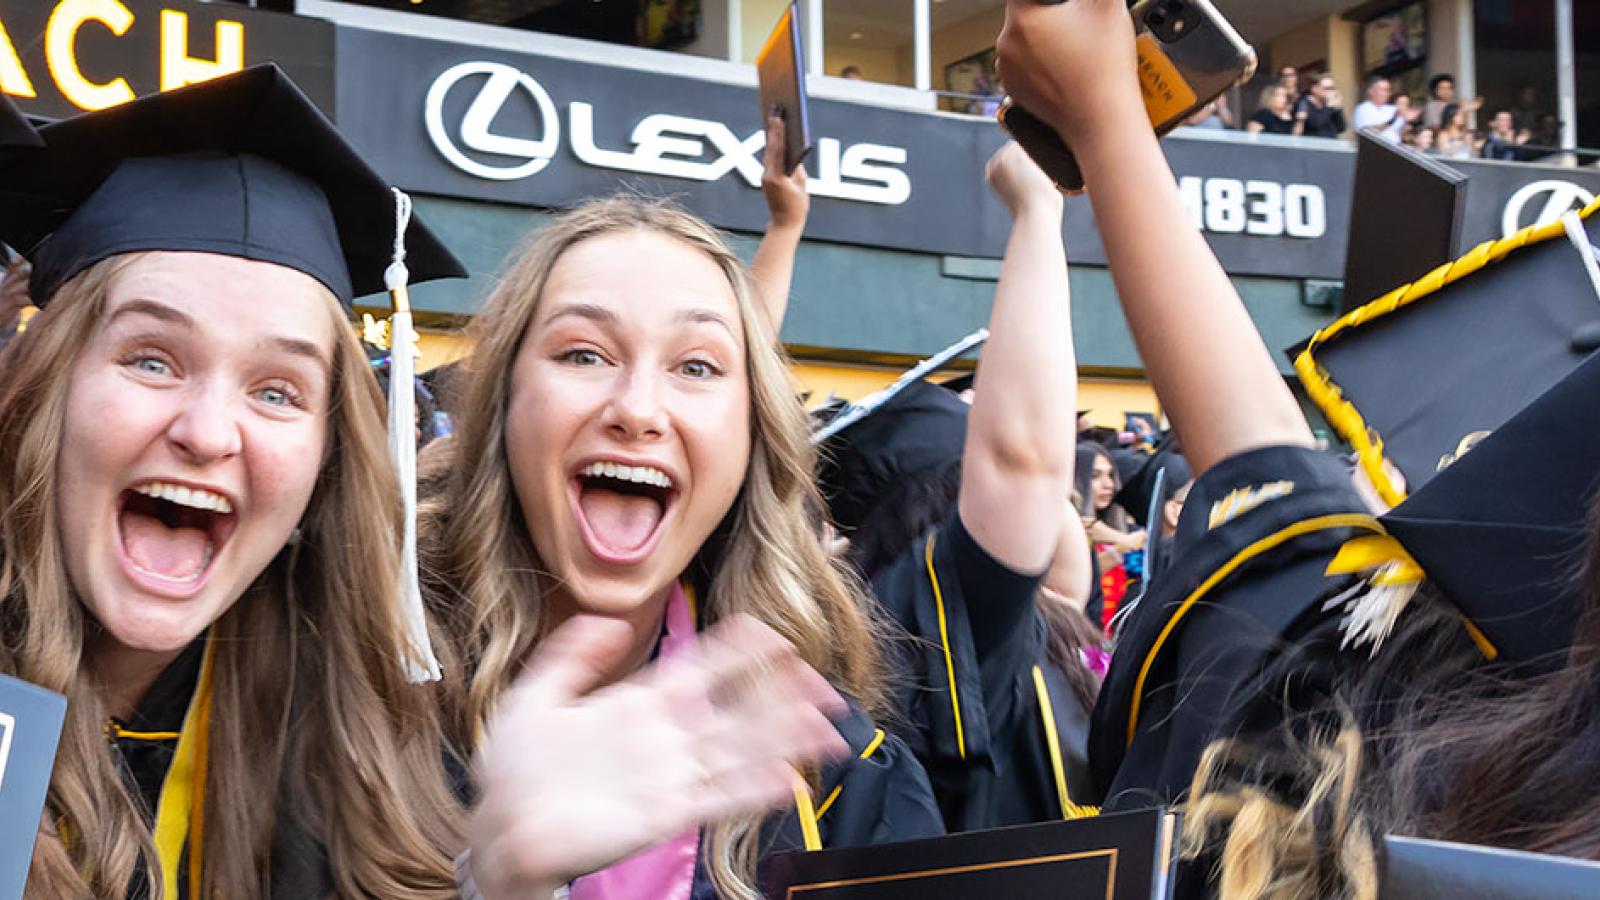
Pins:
x: 663, y: 145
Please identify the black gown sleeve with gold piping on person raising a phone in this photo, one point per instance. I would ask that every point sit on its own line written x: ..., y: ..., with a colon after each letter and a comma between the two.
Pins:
x: 1234, y: 637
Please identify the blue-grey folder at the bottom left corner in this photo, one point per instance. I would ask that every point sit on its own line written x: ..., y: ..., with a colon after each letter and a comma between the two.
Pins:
x: 30, y: 731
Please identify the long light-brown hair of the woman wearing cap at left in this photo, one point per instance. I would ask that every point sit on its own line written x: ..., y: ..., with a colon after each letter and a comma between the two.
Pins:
x: 313, y: 720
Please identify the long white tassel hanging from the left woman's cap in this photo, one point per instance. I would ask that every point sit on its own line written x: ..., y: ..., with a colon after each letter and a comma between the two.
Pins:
x: 422, y: 665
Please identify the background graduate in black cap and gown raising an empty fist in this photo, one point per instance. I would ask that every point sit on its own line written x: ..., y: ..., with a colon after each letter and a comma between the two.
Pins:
x: 958, y: 518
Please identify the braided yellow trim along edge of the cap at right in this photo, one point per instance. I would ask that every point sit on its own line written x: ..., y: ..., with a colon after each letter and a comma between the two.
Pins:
x: 1330, y: 398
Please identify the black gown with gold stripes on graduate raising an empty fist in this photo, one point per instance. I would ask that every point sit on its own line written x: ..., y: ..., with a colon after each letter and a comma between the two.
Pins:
x: 966, y: 683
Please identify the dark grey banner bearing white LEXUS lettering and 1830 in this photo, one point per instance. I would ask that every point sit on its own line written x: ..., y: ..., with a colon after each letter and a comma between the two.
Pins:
x: 532, y: 131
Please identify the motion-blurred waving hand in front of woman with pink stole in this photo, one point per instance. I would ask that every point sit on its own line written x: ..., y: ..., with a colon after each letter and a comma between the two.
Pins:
x: 575, y: 776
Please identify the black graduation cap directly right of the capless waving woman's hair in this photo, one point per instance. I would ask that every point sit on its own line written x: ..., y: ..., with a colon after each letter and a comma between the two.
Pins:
x: 919, y: 430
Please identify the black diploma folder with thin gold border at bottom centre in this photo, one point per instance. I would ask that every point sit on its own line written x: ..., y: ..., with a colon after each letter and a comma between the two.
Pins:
x: 1110, y: 858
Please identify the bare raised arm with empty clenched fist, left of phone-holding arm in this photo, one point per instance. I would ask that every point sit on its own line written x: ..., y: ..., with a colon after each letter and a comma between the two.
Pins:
x: 1020, y: 438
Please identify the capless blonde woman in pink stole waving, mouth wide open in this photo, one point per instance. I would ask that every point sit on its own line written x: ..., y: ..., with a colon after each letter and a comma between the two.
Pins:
x: 631, y: 449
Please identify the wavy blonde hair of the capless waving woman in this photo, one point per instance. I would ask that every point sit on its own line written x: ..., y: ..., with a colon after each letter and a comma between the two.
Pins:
x: 767, y: 558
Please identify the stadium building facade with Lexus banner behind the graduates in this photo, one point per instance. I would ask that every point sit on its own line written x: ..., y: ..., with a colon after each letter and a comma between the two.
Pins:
x: 495, y: 113
